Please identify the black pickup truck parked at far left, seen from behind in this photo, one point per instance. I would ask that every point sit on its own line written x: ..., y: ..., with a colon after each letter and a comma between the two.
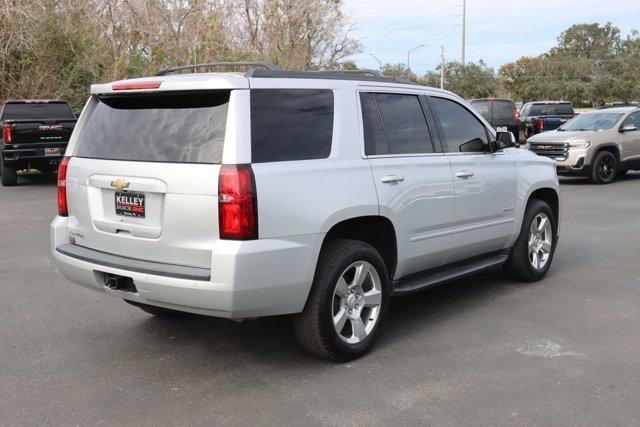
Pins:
x: 34, y: 134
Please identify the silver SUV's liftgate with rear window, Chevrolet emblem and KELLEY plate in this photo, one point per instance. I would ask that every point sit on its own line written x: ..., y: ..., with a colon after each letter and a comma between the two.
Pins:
x: 143, y: 179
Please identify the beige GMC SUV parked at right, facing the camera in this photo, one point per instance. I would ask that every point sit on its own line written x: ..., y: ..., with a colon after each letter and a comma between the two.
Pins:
x: 600, y: 144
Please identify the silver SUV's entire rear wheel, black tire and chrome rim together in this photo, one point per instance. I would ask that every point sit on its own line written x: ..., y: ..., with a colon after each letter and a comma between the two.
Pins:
x: 347, y: 303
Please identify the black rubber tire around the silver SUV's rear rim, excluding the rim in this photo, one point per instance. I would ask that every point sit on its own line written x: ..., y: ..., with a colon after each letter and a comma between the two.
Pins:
x: 314, y: 327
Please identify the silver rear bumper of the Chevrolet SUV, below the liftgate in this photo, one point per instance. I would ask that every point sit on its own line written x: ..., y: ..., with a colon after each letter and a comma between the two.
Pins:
x: 248, y: 278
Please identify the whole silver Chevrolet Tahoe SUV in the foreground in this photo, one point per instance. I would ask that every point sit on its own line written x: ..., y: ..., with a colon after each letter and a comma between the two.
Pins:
x: 313, y: 194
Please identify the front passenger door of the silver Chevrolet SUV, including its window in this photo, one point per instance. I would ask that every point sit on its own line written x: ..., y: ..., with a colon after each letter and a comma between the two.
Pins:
x: 485, y: 183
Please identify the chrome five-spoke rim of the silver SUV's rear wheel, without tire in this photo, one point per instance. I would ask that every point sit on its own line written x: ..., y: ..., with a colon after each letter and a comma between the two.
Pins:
x: 357, y: 301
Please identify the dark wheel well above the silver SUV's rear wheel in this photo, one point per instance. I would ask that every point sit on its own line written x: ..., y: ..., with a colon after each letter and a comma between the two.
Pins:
x: 377, y: 231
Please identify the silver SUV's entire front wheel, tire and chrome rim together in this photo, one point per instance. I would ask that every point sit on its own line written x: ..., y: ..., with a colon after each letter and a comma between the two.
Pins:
x: 531, y: 255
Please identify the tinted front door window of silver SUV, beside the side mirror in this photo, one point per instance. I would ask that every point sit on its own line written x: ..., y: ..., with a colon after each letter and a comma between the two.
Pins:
x: 460, y: 131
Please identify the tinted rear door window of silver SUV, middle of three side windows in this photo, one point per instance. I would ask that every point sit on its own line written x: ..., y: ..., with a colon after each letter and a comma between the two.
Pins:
x: 400, y: 120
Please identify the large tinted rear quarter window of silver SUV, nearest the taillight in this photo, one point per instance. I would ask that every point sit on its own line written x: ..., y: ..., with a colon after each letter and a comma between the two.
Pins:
x: 291, y: 124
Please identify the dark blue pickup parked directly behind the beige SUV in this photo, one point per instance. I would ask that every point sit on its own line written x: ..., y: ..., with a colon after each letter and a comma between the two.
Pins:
x: 542, y: 116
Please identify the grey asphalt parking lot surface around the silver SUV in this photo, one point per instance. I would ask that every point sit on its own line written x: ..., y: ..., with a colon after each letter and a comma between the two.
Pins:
x: 482, y: 350
